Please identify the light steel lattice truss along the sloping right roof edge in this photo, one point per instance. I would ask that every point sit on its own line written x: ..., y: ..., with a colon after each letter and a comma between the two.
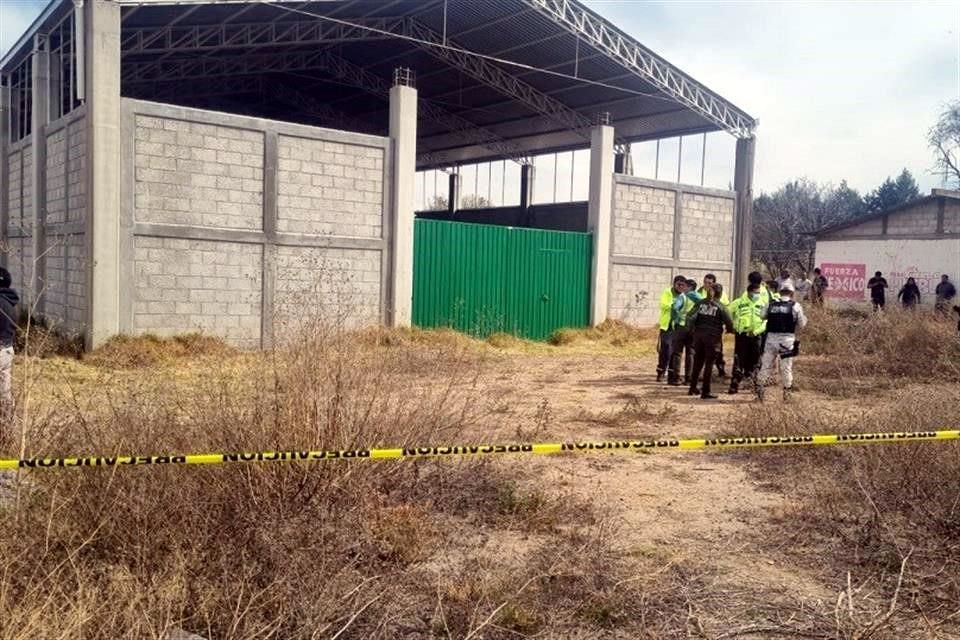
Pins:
x: 645, y: 64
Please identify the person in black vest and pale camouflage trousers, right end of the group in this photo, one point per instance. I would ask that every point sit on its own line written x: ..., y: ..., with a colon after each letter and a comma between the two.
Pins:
x: 785, y: 318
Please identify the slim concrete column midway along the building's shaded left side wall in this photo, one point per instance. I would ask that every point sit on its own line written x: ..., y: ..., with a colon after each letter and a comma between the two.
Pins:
x: 40, y: 116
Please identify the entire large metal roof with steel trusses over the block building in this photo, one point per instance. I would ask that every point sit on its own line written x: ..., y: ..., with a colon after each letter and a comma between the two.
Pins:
x: 161, y: 40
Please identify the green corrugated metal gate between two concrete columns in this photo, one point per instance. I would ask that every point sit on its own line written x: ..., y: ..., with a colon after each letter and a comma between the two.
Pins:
x: 483, y: 279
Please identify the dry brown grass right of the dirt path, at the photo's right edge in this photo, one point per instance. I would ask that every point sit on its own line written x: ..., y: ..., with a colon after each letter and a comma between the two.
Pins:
x: 882, y: 520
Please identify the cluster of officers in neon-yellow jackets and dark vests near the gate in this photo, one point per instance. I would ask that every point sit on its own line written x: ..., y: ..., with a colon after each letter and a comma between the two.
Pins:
x: 764, y: 320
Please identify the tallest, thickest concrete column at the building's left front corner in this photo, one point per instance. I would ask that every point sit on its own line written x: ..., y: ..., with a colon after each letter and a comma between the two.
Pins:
x: 102, y: 90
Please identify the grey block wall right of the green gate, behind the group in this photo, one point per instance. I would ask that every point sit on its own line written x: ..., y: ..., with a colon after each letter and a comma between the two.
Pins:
x: 661, y: 229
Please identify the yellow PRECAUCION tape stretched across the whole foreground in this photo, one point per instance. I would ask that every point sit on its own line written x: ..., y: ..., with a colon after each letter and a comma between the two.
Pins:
x: 480, y: 450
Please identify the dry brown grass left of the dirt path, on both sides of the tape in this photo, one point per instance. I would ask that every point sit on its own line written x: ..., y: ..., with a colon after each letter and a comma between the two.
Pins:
x: 323, y: 550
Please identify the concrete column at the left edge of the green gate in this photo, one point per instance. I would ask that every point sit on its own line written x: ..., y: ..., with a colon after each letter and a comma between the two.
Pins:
x: 403, y: 137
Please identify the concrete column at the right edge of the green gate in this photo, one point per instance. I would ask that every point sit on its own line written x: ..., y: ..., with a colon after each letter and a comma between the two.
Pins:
x: 599, y: 218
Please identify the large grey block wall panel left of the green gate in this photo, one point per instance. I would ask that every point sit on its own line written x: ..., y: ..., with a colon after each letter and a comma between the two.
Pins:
x: 243, y: 227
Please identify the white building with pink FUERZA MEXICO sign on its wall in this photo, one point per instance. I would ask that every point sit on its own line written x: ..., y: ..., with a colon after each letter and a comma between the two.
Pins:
x: 920, y: 239
